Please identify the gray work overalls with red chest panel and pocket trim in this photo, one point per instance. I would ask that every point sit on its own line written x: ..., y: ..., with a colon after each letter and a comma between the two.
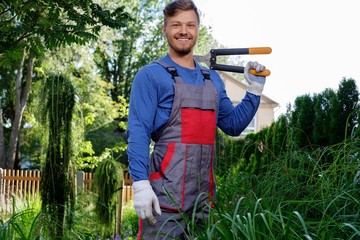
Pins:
x: 181, y: 165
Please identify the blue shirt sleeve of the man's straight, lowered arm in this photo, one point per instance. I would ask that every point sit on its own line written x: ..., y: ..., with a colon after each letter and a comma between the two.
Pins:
x: 142, y: 109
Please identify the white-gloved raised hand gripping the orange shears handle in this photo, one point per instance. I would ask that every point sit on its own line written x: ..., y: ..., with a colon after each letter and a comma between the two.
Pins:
x: 256, y: 83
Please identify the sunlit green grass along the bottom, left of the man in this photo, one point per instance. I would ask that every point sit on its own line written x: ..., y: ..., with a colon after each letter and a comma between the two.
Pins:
x: 25, y: 221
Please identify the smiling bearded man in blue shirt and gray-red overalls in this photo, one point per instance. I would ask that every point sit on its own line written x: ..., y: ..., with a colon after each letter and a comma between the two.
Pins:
x: 178, y: 104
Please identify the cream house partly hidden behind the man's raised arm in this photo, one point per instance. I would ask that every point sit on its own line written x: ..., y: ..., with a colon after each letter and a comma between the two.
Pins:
x: 236, y: 90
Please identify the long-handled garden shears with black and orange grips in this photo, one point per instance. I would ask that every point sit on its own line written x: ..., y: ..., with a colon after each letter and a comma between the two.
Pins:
x: 210, y: 59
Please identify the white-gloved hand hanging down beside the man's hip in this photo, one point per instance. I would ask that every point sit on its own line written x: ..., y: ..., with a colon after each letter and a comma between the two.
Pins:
x: 144, y: 200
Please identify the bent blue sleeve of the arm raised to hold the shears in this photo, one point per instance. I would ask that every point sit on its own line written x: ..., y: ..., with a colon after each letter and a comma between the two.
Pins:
x: 233, y: 120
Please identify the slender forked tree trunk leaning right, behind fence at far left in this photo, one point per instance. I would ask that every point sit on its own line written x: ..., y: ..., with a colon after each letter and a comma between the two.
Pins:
x: 22, y: 95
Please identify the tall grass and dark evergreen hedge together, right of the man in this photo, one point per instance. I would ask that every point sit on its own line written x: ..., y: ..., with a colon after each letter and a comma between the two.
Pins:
x: 295, y: 164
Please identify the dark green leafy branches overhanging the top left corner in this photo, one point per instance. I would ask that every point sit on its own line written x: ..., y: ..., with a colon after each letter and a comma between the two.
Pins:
x: 44, y: 25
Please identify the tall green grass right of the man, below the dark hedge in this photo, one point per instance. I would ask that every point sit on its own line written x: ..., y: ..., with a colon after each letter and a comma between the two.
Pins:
x: 304, y: 194
